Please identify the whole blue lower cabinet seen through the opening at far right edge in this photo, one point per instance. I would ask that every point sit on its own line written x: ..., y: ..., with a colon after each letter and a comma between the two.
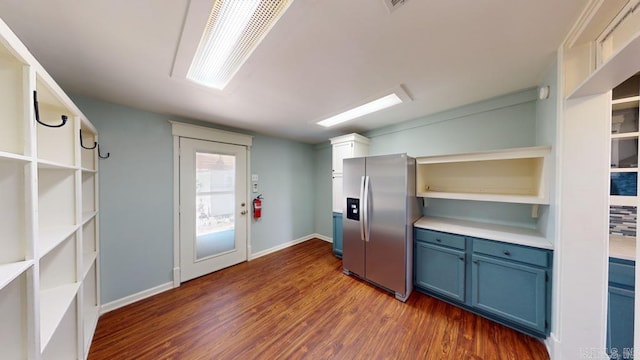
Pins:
x: 620, y: 311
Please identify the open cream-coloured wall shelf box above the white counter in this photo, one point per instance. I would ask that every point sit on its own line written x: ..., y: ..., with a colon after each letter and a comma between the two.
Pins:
x: 519, y: 175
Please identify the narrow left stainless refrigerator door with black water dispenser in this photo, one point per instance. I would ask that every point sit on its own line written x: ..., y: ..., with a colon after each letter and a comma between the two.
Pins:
x: 353, y: 244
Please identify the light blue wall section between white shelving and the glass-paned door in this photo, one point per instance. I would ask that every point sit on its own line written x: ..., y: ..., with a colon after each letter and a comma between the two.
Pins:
x: 136, y: 198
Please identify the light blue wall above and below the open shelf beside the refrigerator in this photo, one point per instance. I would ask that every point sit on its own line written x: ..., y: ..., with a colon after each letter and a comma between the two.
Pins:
x: 503, y: 122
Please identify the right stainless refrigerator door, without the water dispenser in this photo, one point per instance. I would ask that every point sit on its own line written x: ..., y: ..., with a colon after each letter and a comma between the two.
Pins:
x: 386, y: 245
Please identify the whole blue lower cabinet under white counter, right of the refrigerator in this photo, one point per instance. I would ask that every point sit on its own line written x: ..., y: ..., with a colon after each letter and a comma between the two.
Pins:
x: 504, y: 282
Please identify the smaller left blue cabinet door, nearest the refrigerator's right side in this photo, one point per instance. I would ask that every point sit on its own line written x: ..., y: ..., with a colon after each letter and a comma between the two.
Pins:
x: 440, y: 270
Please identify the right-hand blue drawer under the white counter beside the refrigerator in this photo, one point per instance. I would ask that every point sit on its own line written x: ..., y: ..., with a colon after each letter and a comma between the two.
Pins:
x: 525, y: 254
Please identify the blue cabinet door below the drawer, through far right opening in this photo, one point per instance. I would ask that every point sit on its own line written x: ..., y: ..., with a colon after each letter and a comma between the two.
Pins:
x: 620, y: 322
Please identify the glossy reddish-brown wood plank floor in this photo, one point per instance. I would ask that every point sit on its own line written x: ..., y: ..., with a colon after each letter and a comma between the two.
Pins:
x: 297, y: 304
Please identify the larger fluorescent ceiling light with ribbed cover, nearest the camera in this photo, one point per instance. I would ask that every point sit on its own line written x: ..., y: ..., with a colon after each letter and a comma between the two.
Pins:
x: 233, y: 31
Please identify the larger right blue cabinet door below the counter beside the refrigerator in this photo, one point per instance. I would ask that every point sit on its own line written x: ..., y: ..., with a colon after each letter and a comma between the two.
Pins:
x: 510, y: 291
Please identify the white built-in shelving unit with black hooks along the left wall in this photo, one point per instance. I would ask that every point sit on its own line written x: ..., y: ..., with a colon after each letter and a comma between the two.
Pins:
x: 49, y: 268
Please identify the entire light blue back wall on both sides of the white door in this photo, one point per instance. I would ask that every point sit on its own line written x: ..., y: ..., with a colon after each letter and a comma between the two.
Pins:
x: 136, y: 195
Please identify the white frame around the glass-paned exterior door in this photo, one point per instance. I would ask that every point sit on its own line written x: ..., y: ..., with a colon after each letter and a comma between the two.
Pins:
x: 179, y: 130
